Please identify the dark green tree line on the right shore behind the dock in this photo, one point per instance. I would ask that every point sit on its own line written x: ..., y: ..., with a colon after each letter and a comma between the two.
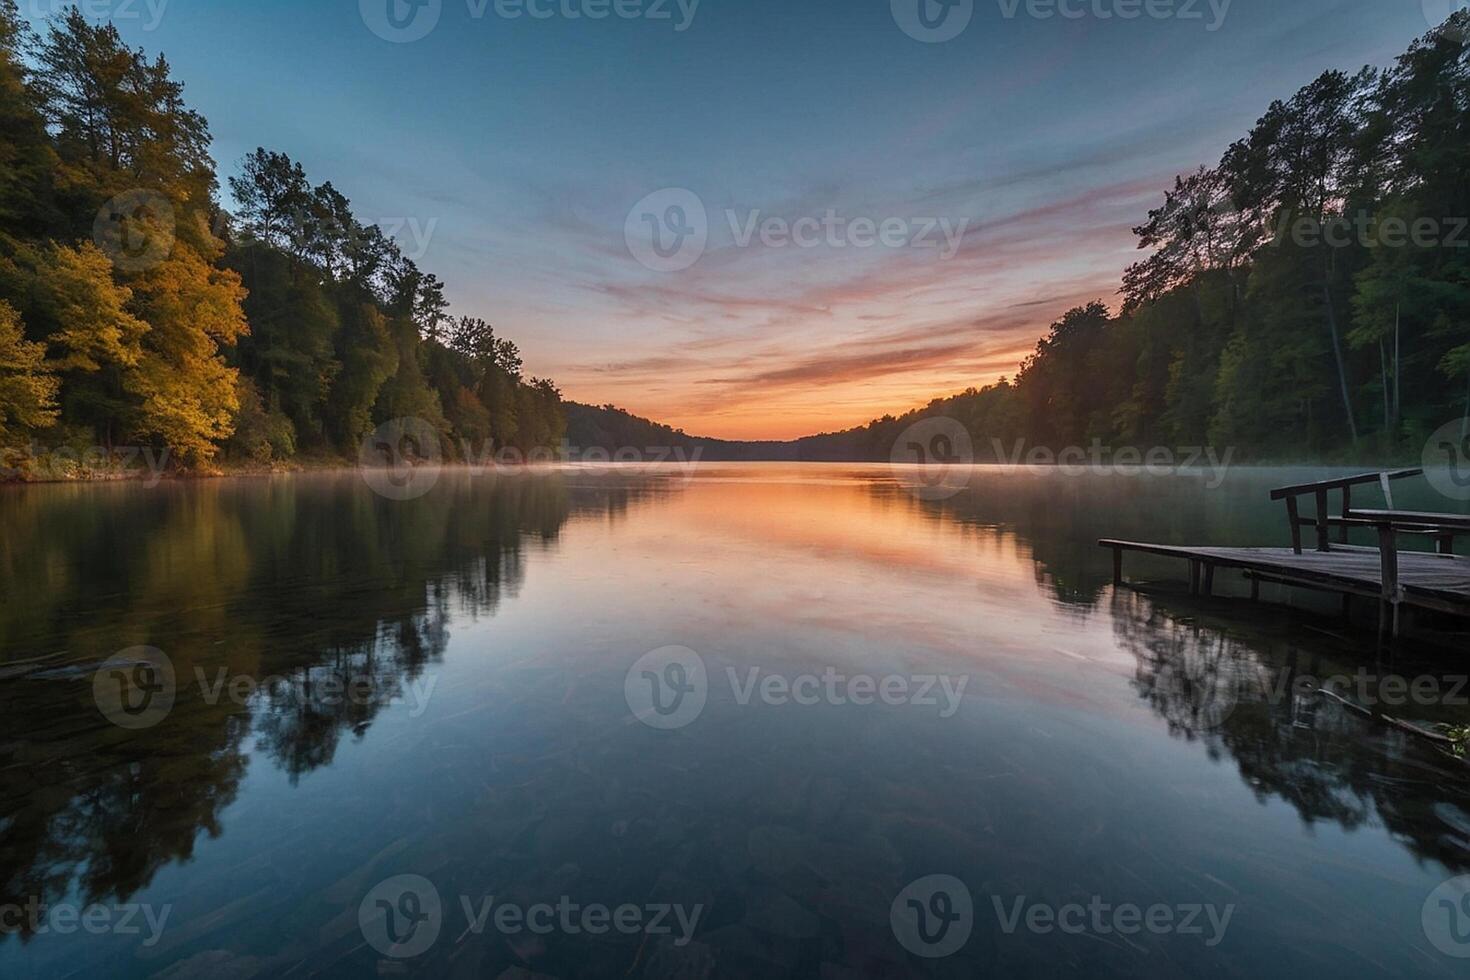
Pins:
x: 1308, y: 298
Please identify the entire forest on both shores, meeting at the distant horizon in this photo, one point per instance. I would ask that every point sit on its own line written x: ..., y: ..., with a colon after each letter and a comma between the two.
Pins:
x: 1305, y: 299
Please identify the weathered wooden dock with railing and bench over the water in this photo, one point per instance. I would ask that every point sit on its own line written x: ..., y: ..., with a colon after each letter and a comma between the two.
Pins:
x: 1394, y: 578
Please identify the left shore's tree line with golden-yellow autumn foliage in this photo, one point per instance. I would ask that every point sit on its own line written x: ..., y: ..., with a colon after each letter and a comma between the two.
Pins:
x: 135, y: 309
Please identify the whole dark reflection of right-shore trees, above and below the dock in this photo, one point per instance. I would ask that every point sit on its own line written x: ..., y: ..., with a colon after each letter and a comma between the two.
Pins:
x: 1233, y: 677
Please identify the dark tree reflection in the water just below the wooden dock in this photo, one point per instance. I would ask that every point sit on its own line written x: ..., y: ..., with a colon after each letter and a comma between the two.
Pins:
x: 1311, y: 752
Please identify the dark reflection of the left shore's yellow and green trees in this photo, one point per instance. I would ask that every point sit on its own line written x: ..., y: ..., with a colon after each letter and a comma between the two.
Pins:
x: 302, y: 586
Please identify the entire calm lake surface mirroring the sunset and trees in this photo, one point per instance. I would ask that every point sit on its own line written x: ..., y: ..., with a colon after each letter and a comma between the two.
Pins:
x: 737, y: 721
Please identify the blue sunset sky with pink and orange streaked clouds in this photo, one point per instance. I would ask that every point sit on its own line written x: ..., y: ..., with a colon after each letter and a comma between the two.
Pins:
x: 756, y: 218
